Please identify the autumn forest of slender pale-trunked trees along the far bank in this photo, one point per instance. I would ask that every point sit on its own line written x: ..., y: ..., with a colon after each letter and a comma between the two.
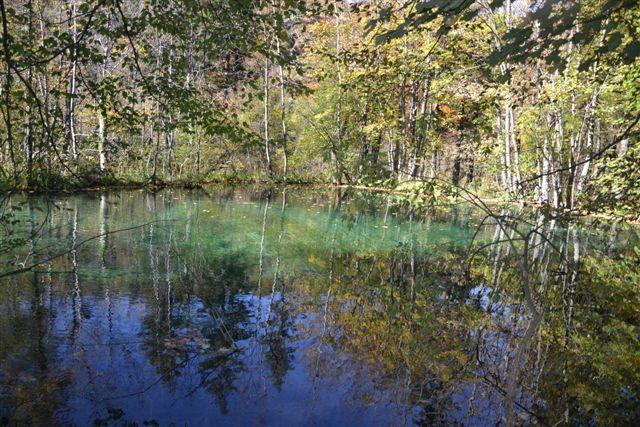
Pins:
x: 529, y: 101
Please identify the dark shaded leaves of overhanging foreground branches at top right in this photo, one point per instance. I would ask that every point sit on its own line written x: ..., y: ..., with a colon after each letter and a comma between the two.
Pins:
x: 544, y: 30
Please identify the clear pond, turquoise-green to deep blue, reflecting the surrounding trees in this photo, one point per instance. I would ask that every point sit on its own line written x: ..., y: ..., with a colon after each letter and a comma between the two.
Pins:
x: 314, y: 307
